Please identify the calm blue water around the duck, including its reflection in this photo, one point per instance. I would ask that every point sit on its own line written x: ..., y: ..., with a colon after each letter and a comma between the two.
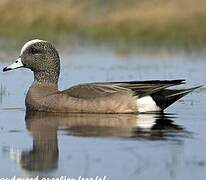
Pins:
x: 154, y: 146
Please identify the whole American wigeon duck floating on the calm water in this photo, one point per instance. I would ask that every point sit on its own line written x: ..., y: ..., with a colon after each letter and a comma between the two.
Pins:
x: 108, y: 97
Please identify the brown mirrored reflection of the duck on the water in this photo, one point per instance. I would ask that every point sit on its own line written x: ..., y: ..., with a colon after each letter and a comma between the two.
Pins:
x: 44, y: 126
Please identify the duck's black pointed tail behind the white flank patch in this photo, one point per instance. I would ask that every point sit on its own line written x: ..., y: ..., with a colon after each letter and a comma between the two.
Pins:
x: 167, y: 97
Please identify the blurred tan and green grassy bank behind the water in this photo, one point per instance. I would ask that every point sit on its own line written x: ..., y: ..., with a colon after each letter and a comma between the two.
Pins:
x: 178, y: 22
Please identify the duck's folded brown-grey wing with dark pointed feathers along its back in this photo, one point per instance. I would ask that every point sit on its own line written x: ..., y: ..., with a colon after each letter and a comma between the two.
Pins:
x: 135, y: 88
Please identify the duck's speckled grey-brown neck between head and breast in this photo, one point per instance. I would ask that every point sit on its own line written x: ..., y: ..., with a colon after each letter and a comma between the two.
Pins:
x: 46, y: 78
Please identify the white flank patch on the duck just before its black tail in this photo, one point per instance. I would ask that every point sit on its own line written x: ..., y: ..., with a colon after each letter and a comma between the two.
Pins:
x: 147, y: 104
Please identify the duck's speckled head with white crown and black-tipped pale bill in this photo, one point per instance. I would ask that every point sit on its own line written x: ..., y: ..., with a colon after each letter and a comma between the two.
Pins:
x: 39, y: 56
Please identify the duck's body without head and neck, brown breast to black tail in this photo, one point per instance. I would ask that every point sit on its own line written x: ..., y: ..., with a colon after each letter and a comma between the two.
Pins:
x: 114, y: 97
